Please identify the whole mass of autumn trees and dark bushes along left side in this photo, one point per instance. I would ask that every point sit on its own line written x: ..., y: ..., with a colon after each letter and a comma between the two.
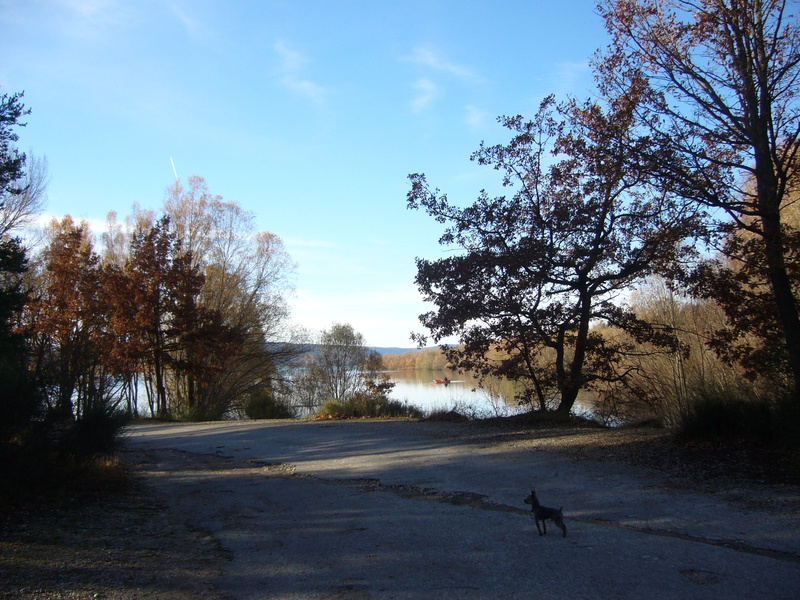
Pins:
x: 179, y: 315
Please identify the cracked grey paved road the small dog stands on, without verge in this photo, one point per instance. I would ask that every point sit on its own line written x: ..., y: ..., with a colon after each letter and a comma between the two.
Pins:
x: 410, y: 510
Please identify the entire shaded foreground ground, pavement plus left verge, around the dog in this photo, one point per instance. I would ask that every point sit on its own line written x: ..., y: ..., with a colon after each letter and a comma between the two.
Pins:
x: 403, y: 509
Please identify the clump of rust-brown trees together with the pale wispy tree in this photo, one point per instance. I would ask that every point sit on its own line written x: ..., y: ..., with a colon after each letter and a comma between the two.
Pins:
x: 194, y: 332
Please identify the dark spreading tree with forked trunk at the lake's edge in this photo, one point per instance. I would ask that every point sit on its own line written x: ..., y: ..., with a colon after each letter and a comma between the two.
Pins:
x: 539, y: 266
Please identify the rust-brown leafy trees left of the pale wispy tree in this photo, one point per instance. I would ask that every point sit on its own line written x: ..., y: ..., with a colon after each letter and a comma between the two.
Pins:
x: 93, y: 326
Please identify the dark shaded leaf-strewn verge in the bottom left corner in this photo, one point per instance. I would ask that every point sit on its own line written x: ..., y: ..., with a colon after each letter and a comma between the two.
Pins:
x: 128, y: 546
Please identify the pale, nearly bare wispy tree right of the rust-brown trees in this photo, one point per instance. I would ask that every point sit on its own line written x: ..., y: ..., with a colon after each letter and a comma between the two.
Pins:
x: 248, y: 275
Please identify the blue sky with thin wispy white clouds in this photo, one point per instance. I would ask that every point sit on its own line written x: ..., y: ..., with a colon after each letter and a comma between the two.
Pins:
x: 310, y: 114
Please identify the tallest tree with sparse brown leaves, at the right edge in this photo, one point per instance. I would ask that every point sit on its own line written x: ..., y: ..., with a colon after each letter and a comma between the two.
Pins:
x: 716, y: 84
